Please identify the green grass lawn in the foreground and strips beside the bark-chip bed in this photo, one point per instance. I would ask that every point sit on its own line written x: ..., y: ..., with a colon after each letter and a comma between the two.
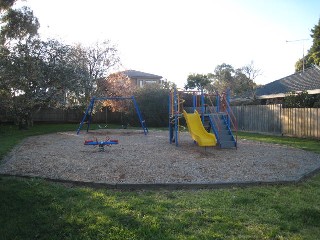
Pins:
x: 36, y: 209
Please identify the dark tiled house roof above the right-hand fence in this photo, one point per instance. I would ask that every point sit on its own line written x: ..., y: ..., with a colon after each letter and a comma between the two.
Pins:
x: 301, y: 81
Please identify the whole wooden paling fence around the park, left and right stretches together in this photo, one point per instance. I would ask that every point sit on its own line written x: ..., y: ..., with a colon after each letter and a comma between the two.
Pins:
x: 273, y: 119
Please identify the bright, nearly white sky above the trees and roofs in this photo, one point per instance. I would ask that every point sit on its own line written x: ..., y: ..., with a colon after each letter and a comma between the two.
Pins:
x: 175, y: 38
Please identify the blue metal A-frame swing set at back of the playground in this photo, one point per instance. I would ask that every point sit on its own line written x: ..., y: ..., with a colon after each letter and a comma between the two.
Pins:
x: 87, y: 118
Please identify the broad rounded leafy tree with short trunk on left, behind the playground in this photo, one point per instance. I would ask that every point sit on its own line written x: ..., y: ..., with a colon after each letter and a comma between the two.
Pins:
x: 37, y: 73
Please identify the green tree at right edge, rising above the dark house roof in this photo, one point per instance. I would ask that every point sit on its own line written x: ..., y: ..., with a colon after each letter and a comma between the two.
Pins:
x: 313, y: 55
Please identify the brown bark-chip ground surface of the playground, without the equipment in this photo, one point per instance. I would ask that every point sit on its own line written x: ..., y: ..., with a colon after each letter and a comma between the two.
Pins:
x: 149, y: 159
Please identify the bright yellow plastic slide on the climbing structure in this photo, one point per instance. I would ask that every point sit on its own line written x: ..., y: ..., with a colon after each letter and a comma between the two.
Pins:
x: 197, y: 131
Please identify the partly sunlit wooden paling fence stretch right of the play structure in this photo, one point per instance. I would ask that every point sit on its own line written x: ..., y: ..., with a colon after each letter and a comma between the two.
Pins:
x: 274, y: 119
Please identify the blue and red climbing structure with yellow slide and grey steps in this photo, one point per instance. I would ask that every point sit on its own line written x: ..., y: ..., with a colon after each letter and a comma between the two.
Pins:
x: 215, y: 125
